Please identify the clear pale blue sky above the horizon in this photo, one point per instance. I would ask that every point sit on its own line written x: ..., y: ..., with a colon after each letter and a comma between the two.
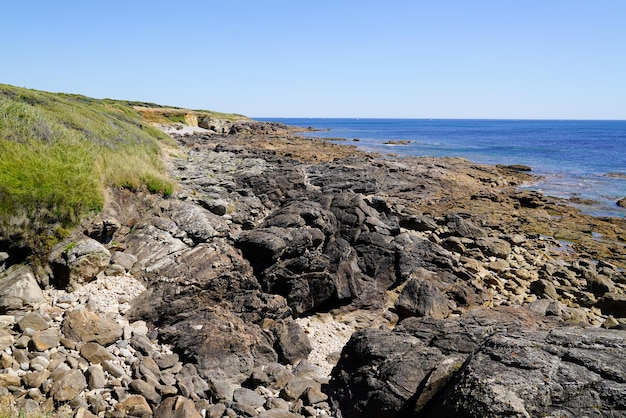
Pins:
x: 561, y: 59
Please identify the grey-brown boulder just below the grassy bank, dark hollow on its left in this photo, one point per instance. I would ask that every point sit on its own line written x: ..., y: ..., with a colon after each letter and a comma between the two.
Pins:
x: 78, y: 262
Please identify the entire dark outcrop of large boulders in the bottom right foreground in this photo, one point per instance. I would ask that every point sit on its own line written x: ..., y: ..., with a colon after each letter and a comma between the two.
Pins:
x: 499, y: 362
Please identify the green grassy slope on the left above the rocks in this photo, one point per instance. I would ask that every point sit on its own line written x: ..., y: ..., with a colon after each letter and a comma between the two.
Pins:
x: 59, y: 153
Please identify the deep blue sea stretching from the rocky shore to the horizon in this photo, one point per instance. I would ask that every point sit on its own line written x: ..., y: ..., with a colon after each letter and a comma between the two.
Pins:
x: 575, y: 158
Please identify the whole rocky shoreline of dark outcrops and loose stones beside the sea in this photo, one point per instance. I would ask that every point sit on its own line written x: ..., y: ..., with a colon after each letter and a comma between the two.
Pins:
x: 292, y: 277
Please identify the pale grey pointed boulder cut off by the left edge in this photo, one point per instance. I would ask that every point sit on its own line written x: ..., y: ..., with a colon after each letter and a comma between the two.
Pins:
x: 19, y: 289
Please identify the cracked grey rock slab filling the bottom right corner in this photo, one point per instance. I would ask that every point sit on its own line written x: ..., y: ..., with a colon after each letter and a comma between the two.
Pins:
x: 539, y: 373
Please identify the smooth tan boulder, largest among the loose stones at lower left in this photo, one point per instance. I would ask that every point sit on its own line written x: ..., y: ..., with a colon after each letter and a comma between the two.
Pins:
x: 81, y: 325
